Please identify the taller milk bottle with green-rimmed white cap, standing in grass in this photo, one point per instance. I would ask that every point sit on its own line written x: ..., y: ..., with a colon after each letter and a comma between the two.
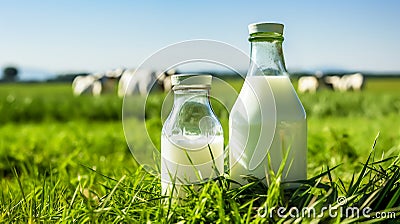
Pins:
x: 268, y: 117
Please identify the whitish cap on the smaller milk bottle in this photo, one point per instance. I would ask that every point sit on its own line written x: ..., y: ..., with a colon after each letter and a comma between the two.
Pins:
x: 191, y: 79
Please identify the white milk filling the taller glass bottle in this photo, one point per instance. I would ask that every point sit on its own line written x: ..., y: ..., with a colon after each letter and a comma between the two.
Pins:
x: 276, y: 132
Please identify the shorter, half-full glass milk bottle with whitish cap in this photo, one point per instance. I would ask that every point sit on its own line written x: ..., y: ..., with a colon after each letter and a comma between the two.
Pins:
x: 192, y: 144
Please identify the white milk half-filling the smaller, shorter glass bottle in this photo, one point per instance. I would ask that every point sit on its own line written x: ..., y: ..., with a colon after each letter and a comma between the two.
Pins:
x: 176, y: 167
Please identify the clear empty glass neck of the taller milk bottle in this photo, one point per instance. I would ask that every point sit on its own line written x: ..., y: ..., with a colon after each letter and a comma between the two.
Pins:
x: 266, y: 57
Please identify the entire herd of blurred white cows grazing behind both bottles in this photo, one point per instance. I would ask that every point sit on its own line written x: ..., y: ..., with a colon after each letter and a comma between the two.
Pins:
x: 131, y: 81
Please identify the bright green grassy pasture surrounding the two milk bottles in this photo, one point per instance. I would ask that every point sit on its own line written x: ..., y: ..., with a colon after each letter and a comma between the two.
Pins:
x: 65, y: 159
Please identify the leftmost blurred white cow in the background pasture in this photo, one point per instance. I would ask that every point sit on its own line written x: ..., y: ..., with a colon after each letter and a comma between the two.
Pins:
x: 89, y: 84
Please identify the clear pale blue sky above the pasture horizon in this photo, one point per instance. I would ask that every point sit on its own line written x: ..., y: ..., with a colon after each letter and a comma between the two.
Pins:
x: 75, y: 35
